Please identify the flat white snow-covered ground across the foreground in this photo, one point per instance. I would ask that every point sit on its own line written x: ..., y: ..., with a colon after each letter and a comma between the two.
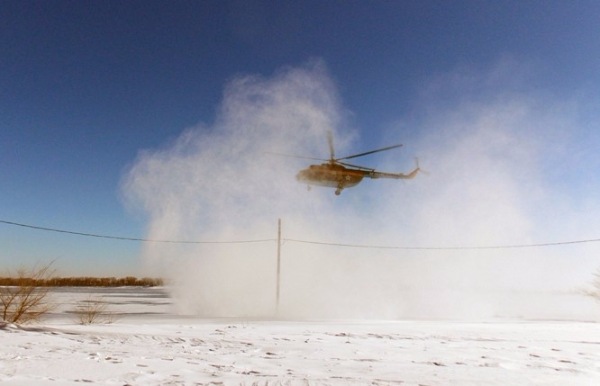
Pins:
x: 147, y: 344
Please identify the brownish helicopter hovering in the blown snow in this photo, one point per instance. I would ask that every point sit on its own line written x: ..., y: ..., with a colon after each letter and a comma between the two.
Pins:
x: 340, y: 175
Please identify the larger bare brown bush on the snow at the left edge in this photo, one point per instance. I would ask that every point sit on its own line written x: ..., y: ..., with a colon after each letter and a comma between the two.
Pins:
x: 27, y: 300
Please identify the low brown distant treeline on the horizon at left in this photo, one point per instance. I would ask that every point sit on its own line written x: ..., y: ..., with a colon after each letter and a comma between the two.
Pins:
x: 128, y: 281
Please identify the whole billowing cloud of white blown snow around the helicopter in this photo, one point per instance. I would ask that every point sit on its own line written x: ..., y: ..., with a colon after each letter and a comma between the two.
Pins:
x: 486, y: 187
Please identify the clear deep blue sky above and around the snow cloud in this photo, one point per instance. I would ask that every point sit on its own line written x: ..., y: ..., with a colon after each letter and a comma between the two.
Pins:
x: 86, y: 85
